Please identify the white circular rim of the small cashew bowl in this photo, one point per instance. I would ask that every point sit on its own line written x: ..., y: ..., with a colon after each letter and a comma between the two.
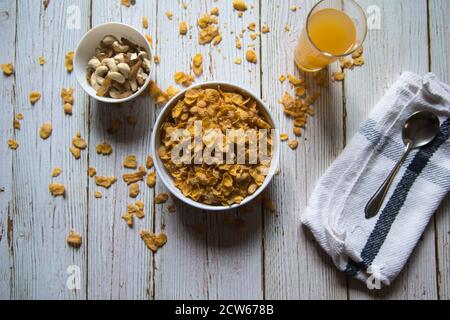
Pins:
x: 81, y: 77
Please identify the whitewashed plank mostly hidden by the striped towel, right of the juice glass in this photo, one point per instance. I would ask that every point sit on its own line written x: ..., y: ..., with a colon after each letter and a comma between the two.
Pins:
x: 403, y: 26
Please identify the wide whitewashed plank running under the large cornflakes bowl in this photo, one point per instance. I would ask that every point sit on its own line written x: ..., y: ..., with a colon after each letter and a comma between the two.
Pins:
x: 220, y: 261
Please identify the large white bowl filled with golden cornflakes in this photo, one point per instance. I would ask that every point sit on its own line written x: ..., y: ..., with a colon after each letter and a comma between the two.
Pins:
x: 215, y: 146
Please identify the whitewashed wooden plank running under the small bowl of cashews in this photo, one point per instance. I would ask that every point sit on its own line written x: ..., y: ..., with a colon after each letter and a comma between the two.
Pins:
x: 120, y: 266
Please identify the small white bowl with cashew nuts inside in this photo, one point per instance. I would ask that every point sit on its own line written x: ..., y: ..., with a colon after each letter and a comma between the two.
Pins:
x: 112, y: 62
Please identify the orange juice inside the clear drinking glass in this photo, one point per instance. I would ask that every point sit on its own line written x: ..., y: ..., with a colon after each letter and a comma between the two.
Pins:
x: 329, y: 34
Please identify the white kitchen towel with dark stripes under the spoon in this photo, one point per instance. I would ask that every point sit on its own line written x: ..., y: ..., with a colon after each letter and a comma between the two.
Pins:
x: 379, y: 248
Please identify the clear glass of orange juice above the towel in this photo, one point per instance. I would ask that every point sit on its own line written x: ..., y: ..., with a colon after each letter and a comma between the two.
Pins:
x: 334, y: 29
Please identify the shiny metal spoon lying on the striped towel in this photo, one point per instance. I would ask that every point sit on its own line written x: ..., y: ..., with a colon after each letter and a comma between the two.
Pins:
x: 419, y: 130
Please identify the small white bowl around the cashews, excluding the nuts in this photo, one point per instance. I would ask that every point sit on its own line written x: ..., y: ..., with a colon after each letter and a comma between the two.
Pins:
x: 86, y: 50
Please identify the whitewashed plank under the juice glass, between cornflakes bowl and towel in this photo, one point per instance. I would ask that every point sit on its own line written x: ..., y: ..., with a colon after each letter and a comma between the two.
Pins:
x: 295, y: 266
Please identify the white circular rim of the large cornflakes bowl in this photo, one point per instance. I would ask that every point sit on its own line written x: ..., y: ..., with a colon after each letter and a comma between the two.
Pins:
x: 169, y: 184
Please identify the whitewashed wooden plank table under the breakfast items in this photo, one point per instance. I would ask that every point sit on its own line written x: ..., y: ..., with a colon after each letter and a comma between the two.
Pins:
x: 267, y: 256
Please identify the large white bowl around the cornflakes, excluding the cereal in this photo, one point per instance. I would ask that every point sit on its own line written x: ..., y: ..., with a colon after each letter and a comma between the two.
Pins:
x: 165, y: 176
